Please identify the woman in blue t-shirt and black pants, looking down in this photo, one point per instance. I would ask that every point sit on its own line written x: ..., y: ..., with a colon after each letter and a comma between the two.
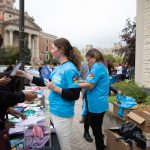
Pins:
x: 97, y: 85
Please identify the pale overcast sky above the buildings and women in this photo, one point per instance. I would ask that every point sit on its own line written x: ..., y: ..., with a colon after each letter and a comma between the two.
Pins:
x: 97, y: 22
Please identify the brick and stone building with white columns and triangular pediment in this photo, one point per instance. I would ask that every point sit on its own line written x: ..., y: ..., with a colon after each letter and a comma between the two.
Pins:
x: 9, y: 30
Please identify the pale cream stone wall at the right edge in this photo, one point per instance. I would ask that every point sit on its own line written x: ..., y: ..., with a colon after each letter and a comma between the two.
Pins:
x: 142, y: 65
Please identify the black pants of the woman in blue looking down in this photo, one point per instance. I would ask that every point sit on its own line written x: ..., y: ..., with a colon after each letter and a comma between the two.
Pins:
x: 96, y: 121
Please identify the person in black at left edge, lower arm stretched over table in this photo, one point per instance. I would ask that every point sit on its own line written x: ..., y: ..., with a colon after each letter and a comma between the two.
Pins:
x: 7, y: 100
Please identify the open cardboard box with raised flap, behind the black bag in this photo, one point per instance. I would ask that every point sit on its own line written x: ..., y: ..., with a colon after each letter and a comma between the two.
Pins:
x: 141, y: 118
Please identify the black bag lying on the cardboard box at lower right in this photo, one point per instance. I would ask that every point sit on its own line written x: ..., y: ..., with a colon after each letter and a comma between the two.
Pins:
x: 129, y: 131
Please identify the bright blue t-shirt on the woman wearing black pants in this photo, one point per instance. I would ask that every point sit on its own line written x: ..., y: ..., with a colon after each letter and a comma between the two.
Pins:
x: 98, y: 96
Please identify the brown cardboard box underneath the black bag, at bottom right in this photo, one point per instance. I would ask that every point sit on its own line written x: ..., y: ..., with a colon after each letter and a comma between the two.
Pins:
x: 118, y: 144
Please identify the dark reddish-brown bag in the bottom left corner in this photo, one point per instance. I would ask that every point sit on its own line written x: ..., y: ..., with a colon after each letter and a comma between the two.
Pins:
x: 4, y: 140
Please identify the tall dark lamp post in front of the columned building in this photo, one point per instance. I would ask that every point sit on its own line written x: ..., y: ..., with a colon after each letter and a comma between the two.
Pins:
x: 21, y: 38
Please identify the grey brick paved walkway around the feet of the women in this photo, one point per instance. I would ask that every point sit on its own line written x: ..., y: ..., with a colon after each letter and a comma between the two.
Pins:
x: 77, y: 141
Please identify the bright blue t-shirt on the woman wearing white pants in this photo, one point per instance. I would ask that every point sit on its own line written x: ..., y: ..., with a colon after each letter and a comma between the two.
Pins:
x: 64, y: 76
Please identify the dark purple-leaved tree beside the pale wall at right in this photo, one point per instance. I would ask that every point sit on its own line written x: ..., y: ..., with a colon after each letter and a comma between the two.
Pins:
x: 128, y: 35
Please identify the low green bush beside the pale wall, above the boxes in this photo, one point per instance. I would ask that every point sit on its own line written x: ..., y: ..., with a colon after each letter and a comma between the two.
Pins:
x: 132, y: 89
